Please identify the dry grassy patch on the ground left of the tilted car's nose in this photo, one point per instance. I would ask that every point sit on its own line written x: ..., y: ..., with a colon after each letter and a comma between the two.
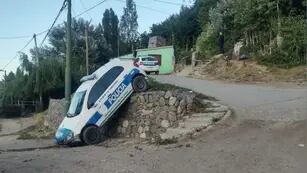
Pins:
x: 37, y: 131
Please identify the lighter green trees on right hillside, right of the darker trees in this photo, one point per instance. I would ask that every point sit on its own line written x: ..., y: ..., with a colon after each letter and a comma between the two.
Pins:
x: 272, y: 30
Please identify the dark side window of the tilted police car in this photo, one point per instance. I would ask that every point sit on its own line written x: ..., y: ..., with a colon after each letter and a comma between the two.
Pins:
x: 102, y: 85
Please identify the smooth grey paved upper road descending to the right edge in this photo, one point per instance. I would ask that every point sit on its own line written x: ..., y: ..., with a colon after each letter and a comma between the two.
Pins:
x: 250, y: 101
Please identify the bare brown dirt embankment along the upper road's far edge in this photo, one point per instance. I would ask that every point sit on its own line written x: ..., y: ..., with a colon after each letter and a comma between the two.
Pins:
x: 248, y: 71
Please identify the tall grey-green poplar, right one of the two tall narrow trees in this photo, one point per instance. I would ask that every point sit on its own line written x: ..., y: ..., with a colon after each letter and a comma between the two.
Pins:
x: 129, y: 24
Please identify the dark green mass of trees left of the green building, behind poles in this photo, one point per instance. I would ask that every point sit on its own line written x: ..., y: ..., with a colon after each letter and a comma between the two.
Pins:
x: 43, y: 72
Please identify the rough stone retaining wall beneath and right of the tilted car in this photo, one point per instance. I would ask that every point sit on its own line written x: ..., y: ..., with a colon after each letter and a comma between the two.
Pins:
x: 150, y: 113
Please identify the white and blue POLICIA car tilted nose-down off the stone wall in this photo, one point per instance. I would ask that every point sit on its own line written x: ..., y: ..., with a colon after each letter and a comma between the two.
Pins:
x: 96, y: 100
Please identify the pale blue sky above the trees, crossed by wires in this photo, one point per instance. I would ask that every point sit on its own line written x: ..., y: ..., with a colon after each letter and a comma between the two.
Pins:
x: 26, y: 17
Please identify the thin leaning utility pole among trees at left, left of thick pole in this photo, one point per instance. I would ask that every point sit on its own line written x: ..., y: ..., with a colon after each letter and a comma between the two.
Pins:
x: 38, y: 76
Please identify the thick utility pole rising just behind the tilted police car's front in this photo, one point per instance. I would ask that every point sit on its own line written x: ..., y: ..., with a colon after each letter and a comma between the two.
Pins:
x: 68, y: 55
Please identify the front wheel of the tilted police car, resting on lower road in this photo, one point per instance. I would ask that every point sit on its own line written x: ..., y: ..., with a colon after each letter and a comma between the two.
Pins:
x: 91, y: 135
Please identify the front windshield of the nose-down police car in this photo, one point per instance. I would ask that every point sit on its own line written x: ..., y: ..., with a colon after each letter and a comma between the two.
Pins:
x: 76, y: 104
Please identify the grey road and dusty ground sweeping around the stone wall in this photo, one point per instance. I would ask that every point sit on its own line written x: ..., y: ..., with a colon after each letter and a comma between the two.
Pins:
x: 265, y: 135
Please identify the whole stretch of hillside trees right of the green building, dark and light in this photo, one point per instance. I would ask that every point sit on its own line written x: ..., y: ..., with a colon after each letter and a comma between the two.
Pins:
x: 271, y: 30
